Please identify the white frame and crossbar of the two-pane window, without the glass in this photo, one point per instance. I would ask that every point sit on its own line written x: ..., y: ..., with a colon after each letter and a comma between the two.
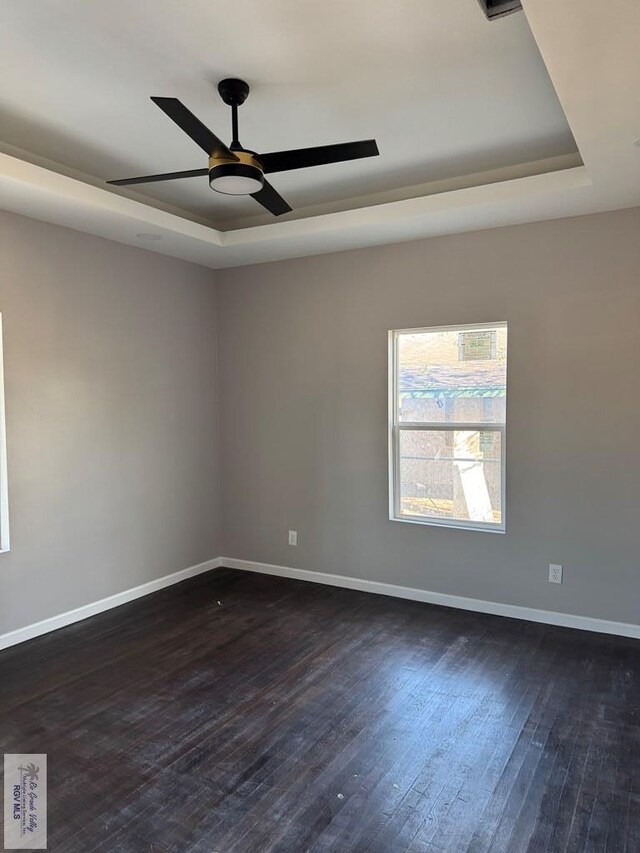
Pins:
x: 395, y: 428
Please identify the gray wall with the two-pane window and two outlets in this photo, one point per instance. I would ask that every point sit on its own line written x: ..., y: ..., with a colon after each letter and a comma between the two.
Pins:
x: 303, y: 373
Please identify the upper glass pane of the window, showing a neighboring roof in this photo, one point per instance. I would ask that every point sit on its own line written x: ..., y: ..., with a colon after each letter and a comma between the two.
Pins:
x: 457, y: 375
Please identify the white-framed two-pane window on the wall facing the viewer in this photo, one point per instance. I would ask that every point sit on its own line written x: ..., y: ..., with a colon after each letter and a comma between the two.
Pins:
x: 447, y: 420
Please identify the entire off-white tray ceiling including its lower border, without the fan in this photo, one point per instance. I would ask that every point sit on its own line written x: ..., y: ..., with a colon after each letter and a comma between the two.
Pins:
x: 478, y: 123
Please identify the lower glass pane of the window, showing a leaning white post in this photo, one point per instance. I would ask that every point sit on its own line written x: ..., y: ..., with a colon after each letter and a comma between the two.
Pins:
x: 451, y: 474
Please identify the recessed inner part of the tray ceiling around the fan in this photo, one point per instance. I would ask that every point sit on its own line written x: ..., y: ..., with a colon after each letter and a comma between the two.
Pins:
x: 442, y: 91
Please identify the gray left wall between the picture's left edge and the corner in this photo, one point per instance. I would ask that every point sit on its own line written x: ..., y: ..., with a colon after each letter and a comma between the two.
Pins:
x: 111, y: 405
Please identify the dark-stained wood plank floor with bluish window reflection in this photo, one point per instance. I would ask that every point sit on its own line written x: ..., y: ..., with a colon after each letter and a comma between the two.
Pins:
x: 243, y: 714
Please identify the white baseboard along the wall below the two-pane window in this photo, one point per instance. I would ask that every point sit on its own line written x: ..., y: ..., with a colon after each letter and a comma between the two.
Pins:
x: 530, y: 614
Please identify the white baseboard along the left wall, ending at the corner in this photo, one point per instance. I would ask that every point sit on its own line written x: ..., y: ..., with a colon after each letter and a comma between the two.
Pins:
x: 87, y: 610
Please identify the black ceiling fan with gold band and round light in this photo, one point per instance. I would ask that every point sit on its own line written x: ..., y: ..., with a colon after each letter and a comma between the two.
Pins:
x: 234, y: 170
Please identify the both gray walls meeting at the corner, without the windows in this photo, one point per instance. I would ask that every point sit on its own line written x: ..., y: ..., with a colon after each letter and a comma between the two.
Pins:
x: 112, y: 407
